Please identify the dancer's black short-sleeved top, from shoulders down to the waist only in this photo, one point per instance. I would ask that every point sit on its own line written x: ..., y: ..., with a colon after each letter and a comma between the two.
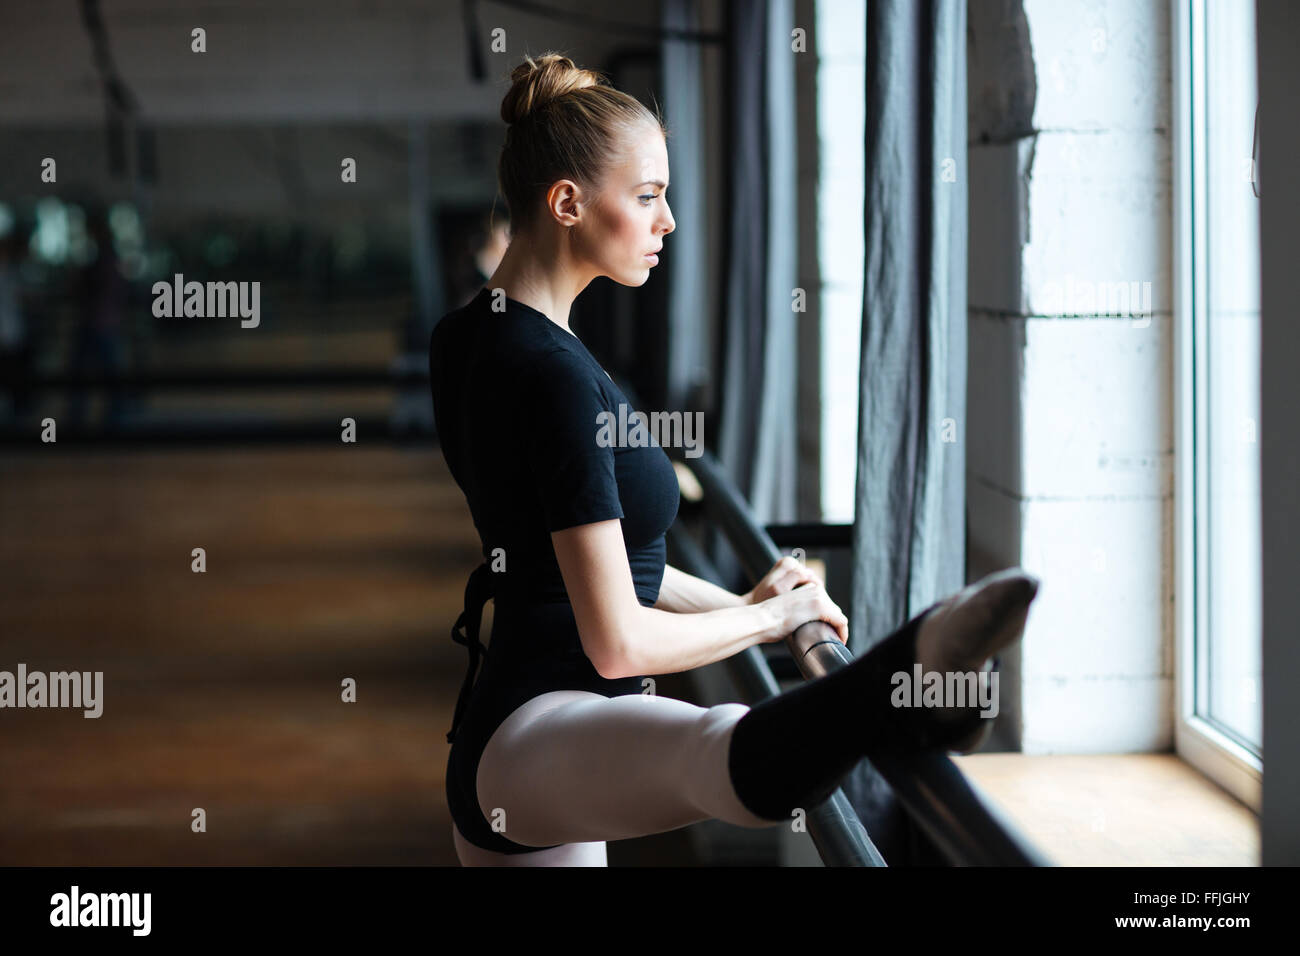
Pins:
x: 530, y: 425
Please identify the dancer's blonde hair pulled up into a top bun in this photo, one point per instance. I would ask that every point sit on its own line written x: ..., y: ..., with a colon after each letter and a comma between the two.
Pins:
x: 564, y: 123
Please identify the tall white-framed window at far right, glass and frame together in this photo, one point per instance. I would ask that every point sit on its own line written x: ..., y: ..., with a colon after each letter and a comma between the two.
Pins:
x: 1217, y: 322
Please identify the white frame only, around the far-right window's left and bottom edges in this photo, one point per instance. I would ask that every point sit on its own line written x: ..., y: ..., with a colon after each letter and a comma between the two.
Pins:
x: 1197, y: 741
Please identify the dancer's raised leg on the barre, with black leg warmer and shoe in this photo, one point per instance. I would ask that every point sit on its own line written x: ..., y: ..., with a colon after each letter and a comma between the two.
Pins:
x: 577, y: 768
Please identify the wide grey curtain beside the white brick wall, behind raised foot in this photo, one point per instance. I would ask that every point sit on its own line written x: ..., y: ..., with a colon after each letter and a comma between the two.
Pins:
x: 909, y: 537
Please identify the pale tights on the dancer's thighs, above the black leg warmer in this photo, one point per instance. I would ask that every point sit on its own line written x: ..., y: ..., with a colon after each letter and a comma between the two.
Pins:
x: 578, y: 769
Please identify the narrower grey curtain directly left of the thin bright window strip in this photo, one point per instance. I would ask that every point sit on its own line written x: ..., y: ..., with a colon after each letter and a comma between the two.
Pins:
x: 757, y: 432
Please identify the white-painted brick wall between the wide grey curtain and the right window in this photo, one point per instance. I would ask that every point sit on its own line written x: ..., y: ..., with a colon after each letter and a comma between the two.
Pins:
x: 1071, y: 468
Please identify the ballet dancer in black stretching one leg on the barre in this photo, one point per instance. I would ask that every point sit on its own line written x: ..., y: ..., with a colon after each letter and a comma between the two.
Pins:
x: 558, y: 750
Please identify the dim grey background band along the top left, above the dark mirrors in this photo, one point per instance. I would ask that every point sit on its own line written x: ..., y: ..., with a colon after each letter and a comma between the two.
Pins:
x: 283, y: 60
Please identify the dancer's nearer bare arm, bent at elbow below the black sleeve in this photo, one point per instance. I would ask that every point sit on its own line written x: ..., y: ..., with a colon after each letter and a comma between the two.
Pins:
x: 622, y: 638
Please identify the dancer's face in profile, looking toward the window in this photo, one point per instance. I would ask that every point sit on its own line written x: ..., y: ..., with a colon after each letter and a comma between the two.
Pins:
x: 630, y: 215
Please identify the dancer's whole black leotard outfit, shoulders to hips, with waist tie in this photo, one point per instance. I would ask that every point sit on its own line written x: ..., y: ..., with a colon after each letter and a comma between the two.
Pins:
x: 517, y: 401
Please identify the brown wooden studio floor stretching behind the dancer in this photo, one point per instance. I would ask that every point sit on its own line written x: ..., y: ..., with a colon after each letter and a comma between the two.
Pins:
x: 223, y: 690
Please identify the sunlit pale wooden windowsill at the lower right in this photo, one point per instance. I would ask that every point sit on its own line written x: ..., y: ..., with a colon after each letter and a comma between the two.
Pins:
x: 1145, y: 810
